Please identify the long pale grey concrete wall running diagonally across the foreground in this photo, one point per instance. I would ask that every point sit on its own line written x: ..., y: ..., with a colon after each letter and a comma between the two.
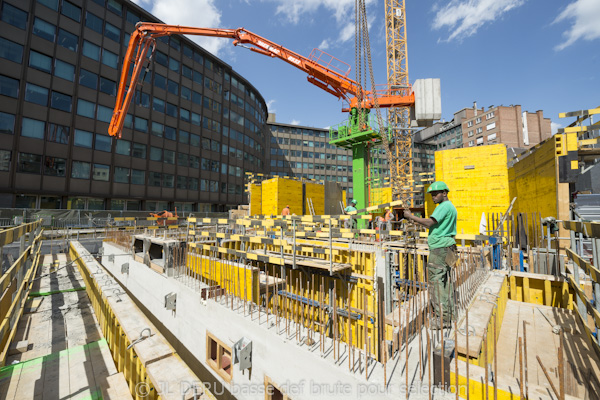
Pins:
x: 297, y: 369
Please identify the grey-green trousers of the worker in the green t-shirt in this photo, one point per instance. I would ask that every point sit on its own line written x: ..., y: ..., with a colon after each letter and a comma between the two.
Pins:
x: 439, y: 266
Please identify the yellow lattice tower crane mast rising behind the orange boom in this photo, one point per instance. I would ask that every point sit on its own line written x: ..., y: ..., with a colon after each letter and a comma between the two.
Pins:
x: 398, y: 117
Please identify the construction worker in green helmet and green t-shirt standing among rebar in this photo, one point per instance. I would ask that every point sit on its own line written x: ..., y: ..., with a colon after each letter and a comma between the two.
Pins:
x: 442, y: 252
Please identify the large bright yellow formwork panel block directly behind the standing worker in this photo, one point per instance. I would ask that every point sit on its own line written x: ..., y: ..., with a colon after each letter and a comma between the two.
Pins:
x: 478, y: 182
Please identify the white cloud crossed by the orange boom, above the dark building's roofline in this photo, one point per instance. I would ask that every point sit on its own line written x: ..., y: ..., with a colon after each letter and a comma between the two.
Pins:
x: 195, y: 13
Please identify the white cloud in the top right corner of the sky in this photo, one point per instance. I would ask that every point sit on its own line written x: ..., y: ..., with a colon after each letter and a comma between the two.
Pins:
x: 585, y: 18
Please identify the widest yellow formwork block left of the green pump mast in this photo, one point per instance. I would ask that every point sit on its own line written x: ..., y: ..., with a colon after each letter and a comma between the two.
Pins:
x: 279, y: 192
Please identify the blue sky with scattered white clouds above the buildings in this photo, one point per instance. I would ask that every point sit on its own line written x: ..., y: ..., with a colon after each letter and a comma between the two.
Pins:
x: 541, y: 54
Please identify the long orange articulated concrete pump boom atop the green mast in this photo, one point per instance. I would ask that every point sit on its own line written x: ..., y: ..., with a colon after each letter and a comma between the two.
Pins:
x: 320, y: 68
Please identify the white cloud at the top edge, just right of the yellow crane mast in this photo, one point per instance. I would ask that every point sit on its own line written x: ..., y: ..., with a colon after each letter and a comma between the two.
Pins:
x: 464, y: 17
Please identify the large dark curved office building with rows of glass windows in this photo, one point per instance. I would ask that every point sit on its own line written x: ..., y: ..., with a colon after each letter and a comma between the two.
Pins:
x: 194, y: 128
